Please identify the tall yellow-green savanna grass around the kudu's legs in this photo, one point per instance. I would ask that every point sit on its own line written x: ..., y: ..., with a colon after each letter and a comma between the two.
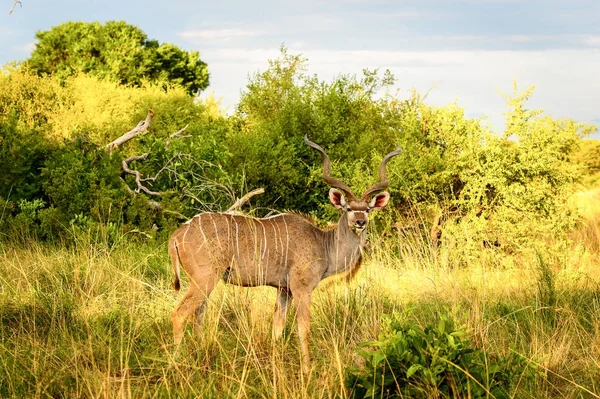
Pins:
x: 93, y: 319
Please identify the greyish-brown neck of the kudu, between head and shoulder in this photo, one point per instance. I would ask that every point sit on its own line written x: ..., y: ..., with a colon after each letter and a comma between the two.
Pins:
x: 344, y: 248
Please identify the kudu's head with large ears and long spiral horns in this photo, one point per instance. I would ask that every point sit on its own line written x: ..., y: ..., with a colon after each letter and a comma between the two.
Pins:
x: 340, y: 195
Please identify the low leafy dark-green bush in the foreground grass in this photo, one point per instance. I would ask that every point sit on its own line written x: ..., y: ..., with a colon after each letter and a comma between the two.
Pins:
x: 438, y: 361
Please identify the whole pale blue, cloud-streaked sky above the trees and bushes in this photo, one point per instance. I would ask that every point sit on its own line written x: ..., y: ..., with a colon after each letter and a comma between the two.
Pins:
x: 465, y: 51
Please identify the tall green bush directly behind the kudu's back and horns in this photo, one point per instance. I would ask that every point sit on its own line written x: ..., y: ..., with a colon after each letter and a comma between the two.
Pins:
x: 280, y: 106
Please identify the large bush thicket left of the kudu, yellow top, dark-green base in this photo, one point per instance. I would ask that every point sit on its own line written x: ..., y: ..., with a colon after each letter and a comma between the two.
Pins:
x: 76, y: 178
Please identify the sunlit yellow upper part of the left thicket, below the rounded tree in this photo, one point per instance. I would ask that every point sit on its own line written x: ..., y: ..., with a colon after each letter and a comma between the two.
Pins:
x: 85, y: 105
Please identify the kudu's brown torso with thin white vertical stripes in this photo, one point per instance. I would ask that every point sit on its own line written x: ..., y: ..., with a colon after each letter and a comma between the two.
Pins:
x: 247, y: 251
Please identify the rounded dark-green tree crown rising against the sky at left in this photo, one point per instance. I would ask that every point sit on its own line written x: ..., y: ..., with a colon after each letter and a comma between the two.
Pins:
x: 117, y: 51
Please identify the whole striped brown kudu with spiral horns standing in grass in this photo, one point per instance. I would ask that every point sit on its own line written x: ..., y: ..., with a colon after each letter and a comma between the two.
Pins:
x: 285, y: 251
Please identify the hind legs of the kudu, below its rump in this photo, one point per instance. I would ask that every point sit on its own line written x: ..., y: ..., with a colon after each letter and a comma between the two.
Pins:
x: 194, y: 302
